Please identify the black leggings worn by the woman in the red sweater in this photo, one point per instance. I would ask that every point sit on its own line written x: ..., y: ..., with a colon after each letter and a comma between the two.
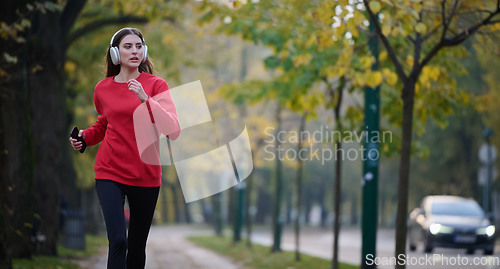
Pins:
x: 142, y: 203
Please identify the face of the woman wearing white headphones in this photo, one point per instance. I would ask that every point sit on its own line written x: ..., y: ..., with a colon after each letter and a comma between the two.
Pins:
x: 131, y: 51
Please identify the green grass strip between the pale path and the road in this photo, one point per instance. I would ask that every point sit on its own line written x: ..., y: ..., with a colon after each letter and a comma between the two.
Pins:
x: 259, y: 257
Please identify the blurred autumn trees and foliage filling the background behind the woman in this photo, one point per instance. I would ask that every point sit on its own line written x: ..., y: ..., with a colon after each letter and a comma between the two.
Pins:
x: 252, y: 56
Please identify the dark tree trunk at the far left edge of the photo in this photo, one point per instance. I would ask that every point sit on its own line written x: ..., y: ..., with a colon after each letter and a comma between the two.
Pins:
x: 16, y: 179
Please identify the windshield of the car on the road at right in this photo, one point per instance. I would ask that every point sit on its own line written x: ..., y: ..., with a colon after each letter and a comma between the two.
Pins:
x: 462, y: 208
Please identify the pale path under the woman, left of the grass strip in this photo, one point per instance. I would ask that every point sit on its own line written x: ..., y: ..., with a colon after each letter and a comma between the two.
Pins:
x: 168, y: 248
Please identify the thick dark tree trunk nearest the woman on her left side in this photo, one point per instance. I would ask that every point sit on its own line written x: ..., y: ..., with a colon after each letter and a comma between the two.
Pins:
x: 50, y: 125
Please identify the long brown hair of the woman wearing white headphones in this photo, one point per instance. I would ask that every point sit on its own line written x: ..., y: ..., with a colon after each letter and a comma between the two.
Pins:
x: 113, y: 70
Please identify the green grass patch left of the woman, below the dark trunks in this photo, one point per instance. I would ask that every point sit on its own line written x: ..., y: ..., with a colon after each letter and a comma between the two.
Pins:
x: 93, y: 244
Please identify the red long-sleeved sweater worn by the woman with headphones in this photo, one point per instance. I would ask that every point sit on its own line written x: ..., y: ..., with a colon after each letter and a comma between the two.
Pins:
x: 118, y: 156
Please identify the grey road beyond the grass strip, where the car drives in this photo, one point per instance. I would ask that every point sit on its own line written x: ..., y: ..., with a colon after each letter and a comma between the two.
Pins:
x: 319, y: 242
